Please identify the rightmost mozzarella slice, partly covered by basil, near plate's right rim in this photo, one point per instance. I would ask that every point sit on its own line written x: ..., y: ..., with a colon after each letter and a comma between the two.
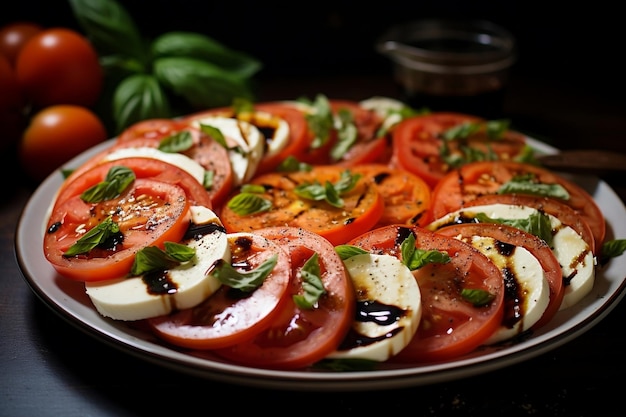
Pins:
x: 573, y: 253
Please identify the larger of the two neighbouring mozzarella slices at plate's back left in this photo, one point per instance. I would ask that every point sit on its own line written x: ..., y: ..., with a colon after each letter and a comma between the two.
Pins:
x: 249, y: 145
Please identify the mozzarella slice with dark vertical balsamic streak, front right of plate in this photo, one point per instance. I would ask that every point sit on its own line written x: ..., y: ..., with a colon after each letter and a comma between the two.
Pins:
x: 528, y: 291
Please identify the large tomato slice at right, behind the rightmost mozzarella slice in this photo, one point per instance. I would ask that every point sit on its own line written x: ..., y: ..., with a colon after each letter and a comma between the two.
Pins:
x: 480, y: 178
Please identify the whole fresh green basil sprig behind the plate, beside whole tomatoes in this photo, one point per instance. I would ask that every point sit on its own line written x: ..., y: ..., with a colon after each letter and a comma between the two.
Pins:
x: 145, y: 76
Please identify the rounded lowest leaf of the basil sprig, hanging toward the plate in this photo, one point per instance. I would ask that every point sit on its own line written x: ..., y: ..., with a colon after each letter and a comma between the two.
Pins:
x: 139, y: 97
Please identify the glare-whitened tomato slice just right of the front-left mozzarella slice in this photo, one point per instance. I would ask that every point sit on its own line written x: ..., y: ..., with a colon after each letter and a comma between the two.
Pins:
x: 231, y: 316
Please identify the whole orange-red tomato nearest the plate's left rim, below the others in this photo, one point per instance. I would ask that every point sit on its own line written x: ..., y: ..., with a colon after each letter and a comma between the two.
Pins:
x: 55, y: 135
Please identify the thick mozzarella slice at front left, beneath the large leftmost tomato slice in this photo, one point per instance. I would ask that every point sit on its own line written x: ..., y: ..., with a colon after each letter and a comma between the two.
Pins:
x: 131, y: 298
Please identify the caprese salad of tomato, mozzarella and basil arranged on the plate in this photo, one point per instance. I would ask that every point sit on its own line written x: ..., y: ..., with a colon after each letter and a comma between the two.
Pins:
x: 326, y: 233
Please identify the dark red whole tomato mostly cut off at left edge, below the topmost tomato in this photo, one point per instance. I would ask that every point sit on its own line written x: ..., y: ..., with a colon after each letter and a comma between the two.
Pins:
x: 11, y: 105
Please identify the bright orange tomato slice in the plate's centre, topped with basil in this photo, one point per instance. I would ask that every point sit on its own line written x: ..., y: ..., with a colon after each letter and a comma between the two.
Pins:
x: 362, y: 208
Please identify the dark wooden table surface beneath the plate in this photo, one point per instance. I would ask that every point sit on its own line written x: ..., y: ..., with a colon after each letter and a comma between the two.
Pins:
x: 49, y: 367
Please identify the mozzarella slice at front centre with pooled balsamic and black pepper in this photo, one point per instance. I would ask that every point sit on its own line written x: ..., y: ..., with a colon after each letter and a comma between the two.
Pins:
x: 389, y: 308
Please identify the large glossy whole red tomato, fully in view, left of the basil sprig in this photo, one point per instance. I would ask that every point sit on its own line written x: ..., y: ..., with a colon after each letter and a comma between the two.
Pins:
x: 59, y: 66
